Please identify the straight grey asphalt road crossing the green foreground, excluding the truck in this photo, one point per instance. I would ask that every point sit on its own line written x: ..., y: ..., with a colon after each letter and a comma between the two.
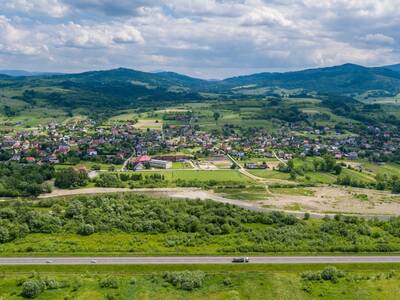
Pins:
x: 194, y: 260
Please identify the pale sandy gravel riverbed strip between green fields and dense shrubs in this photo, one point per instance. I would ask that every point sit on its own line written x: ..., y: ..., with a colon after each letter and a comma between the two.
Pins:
x: 326, y: 199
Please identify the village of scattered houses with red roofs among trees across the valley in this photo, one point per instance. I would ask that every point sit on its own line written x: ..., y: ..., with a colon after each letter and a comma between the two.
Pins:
x: 122, y: 146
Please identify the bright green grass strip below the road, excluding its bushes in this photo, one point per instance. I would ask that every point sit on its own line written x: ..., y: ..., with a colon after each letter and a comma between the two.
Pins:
x: 368, y: 281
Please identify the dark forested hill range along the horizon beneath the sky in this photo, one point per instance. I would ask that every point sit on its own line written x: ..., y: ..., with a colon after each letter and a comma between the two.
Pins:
x: 120, y: 88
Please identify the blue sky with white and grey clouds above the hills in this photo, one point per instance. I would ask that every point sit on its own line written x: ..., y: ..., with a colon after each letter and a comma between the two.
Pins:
x: 203, y: 38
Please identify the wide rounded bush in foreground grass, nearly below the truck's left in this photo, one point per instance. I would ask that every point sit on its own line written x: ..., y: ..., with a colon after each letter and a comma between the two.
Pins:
x: 185, y: 280
